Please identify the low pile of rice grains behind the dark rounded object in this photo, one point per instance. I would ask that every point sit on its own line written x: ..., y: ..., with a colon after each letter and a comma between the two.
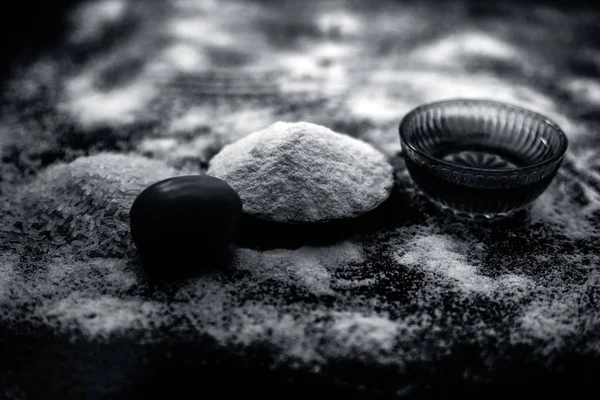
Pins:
x: 82, y: 207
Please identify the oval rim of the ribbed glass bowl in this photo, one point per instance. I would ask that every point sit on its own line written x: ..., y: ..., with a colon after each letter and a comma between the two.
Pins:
x: 561, y: 135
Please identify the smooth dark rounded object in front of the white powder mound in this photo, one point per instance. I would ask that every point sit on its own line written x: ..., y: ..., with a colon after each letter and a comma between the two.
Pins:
x: 184, y: 224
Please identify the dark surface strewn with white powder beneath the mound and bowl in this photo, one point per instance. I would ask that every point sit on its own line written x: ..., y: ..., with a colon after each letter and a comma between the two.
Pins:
x: 403, y: 301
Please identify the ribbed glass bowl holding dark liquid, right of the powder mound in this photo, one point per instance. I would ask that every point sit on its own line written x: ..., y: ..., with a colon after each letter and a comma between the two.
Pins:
x: 480, y: 159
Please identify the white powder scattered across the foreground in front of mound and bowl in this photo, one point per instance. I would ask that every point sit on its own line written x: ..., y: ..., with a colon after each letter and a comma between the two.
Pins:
x: 252, y: 304
